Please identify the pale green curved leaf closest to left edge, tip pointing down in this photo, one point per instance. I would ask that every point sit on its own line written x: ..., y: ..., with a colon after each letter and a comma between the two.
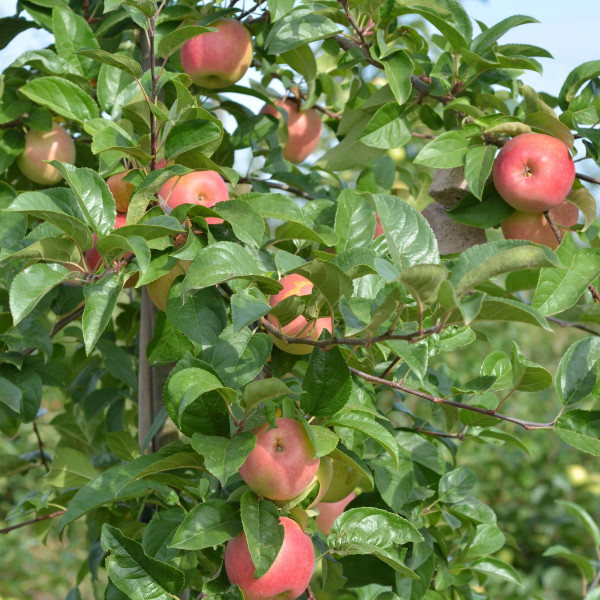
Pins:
x: 32, y: 284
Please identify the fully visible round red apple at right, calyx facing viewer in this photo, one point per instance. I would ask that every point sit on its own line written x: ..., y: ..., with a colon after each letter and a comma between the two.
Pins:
x: 533, y: 172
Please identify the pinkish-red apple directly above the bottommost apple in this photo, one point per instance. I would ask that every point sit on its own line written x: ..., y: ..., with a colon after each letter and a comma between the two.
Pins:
x: 282, y: 464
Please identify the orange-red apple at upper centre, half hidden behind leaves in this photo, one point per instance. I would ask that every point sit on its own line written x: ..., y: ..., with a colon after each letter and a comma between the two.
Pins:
x: 304, y: 129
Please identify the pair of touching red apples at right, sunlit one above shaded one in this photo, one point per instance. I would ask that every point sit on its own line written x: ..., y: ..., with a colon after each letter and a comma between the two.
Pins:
x: 534, y: 173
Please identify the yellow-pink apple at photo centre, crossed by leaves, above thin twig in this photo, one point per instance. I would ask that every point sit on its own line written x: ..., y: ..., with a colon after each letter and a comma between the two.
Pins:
x: 298, y: 285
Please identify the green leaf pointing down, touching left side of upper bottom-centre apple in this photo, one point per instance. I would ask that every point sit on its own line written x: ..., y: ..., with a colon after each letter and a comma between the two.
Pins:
x: 223, y: 457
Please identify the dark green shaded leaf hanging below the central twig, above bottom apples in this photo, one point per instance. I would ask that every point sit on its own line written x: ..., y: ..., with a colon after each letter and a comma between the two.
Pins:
x: 327, y: 383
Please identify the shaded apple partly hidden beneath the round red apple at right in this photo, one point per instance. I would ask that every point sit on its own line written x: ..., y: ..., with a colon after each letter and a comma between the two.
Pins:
x: 535, y: 228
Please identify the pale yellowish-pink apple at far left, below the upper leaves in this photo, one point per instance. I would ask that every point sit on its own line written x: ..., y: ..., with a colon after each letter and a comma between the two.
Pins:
x: 55, y: 144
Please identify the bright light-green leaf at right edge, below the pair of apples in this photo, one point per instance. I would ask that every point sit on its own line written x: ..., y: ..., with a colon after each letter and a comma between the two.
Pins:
x: 560, y: 289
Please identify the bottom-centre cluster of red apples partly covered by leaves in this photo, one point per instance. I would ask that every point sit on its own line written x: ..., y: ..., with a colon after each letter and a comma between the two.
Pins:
x: 282, y: 468
